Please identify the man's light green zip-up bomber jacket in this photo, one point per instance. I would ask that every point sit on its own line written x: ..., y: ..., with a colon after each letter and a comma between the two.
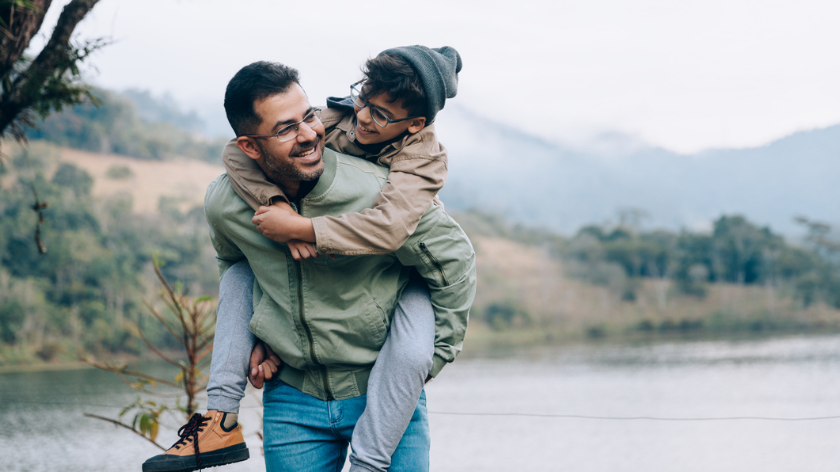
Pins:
x: 328, y: 318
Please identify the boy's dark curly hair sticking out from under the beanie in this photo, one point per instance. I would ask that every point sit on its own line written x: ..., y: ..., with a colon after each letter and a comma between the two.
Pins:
x: 392, y: 74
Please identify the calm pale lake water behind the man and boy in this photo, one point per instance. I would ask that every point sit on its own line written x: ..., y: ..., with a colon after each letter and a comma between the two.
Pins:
x: 474, y: 405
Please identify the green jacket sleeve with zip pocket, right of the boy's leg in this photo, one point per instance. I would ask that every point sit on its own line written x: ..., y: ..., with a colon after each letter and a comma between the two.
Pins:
x: 444, y: 257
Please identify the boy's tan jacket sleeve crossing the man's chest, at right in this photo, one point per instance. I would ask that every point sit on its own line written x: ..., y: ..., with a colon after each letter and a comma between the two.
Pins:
x: 413, y: 183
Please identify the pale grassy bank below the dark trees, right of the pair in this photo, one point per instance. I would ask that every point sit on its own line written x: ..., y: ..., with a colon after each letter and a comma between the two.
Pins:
x: 555, y: 306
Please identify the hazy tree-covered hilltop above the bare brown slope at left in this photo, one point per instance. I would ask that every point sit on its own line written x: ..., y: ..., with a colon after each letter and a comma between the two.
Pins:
x: 111, y: 124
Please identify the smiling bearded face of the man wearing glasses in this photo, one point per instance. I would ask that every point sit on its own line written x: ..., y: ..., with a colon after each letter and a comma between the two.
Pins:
x: 297, y: 160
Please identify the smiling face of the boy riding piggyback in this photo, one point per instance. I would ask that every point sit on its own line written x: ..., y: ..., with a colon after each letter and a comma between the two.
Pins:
x: 369, y: 132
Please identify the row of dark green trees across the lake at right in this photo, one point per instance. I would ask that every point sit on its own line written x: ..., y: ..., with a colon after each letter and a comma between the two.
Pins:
x: 735, y: 252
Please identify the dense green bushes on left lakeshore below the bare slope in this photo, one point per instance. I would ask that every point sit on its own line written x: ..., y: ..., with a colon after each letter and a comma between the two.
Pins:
x: 87, y: 291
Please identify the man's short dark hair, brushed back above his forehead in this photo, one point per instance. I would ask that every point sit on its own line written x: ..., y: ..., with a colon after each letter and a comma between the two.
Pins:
x: 252, y: 83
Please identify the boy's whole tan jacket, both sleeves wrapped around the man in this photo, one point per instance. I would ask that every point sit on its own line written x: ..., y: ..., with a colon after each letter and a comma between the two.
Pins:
x: 418, y: 166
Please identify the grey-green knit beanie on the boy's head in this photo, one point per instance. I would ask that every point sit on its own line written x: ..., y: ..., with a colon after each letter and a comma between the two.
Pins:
x: 438, y: 70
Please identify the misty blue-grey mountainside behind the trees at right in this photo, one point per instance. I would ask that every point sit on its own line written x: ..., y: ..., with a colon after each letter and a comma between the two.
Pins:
x: 495, y: 168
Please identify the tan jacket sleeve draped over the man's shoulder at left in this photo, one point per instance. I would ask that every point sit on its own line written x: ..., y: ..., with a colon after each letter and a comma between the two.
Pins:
x: 247, y: 179
